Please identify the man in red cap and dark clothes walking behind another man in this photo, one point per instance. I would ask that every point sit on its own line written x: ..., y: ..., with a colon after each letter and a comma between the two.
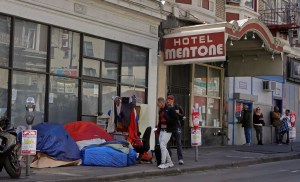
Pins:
x: 177, y: 128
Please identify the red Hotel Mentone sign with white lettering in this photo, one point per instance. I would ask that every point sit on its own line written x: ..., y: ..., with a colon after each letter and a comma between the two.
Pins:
x: 197, y: 46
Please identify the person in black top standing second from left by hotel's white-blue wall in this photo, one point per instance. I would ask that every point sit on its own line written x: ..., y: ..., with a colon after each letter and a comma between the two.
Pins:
x: 258, y: 122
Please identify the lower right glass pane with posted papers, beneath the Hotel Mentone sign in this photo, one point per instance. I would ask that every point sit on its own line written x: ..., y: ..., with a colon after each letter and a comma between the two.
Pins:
x: 213, y: 112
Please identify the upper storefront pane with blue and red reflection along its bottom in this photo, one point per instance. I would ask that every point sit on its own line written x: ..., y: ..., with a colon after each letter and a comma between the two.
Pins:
x: 64, y: 52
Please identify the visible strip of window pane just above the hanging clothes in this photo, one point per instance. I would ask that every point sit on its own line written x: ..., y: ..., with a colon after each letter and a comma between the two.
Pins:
x: 127, y: 91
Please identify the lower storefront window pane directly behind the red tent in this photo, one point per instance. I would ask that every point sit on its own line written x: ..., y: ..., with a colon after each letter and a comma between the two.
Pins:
x: 63, y: 100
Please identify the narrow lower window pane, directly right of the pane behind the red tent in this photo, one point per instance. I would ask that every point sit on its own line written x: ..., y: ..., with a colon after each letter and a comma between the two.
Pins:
x: 90, y: 93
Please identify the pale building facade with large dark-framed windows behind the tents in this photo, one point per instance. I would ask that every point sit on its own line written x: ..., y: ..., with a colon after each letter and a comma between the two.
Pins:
x: 74, y: 56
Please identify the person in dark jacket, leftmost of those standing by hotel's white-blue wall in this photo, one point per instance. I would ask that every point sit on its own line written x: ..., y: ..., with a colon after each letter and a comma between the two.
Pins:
x: 246, y: 124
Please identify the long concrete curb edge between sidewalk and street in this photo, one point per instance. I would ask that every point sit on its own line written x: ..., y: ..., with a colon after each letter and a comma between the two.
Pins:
x: 177, y: 171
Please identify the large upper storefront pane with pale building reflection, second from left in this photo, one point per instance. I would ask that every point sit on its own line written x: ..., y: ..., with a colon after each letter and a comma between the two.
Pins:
x: 30, y: 46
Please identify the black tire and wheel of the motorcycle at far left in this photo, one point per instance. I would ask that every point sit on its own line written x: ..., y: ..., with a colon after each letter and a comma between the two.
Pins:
x: 12, y: 164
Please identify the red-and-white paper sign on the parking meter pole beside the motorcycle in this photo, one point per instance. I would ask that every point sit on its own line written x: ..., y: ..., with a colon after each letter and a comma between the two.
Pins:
x: 28, y: 142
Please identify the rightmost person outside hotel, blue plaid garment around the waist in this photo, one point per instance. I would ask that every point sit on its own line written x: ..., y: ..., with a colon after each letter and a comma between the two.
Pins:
x: 285, y: 127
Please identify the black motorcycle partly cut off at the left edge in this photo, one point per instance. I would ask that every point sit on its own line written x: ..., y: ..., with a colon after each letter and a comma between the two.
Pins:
x: 9, y: 149
